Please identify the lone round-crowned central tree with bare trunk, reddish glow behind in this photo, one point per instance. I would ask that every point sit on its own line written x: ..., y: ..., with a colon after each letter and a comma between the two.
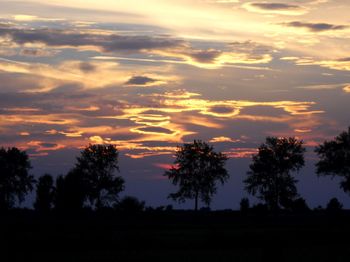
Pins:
x: 196, y: 171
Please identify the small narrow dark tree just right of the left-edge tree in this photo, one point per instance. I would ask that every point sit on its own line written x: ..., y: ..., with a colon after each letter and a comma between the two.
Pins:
x: 45, y: 193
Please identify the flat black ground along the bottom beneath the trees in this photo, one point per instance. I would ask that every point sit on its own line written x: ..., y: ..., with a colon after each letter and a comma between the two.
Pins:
x: 174, y: 236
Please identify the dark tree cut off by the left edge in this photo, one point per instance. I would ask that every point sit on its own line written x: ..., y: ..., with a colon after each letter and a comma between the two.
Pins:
x: 15, y: 181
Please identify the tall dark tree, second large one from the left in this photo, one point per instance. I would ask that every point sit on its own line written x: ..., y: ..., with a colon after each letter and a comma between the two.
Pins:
x: 97, y: 164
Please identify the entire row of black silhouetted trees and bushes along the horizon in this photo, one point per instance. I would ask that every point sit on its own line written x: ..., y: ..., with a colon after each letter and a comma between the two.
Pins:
x: 197, y: 170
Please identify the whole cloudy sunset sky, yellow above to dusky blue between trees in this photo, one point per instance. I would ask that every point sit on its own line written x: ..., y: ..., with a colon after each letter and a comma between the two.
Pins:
x: 148, y: 76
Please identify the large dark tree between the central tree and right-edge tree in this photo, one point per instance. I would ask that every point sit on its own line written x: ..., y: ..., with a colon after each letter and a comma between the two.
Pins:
x: 270, y: 176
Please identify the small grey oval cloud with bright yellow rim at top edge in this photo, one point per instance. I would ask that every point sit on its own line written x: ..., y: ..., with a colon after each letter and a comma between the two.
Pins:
x: 275, y: 8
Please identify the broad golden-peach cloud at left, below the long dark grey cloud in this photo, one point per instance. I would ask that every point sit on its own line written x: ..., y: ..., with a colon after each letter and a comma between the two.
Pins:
x: 88, y: 75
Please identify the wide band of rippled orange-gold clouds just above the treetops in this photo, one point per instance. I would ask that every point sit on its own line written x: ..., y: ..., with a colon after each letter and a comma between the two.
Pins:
x: 140, y: 125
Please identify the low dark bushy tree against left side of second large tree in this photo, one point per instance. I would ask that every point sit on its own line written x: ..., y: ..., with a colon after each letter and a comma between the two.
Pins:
x: 71, y: 192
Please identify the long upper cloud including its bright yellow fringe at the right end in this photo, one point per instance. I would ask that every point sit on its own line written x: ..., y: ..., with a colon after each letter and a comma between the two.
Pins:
x: 177, y: 51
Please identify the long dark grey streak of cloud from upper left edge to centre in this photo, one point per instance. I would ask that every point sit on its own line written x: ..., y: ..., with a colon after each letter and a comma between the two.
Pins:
x: 107, y: 43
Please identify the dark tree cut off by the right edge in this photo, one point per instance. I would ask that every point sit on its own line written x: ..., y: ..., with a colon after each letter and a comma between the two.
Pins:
x: 335, y: 159
